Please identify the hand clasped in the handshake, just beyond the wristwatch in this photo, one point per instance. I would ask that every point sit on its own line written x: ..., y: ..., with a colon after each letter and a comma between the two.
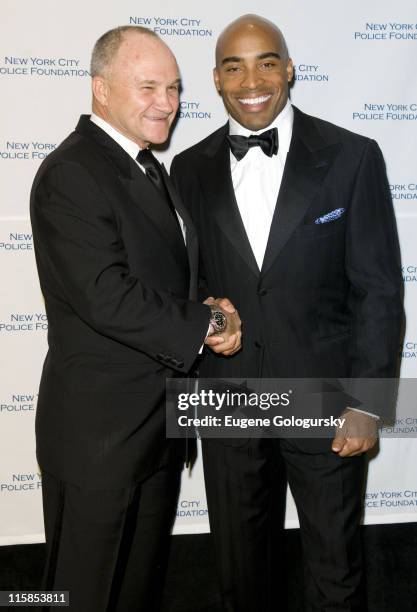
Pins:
x: 228, y: 342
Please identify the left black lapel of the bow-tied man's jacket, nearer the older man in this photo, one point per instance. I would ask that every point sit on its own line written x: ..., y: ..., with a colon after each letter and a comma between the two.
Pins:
x: 218, y: 190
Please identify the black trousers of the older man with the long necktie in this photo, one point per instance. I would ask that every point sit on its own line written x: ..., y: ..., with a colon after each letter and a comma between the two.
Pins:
x: 109, y: 548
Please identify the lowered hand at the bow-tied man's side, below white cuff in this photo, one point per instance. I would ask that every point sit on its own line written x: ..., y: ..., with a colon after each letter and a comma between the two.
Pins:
x: 358, y: 434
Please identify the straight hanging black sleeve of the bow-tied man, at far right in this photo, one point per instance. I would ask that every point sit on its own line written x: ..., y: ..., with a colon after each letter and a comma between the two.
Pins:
x: 373, y: 266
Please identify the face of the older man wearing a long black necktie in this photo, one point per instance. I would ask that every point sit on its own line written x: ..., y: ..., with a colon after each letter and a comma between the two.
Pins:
x: 139, y: 92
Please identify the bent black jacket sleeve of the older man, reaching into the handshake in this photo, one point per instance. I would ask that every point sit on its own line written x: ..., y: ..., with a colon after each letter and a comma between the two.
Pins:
x: 78, y: 243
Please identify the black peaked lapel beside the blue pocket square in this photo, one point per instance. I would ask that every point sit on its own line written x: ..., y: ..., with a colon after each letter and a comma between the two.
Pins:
x: 308, y: 162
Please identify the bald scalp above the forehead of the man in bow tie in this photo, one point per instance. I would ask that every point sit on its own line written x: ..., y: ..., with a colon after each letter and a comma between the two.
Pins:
x: 246, y: 25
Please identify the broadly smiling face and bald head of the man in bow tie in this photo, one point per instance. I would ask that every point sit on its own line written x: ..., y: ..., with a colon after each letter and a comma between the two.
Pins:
x: 253, y: 72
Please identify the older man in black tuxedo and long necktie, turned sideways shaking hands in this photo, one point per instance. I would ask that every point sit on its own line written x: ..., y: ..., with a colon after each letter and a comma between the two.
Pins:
x: 117, y: 260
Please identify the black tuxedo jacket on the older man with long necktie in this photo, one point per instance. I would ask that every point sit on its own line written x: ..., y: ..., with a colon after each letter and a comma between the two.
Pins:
x: 119, y: 286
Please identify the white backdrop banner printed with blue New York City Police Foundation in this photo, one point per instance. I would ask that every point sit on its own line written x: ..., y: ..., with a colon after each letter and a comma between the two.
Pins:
x: 355, y: 66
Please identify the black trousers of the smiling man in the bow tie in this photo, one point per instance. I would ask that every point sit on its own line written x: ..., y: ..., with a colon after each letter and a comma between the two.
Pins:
x: 246, y: 496
